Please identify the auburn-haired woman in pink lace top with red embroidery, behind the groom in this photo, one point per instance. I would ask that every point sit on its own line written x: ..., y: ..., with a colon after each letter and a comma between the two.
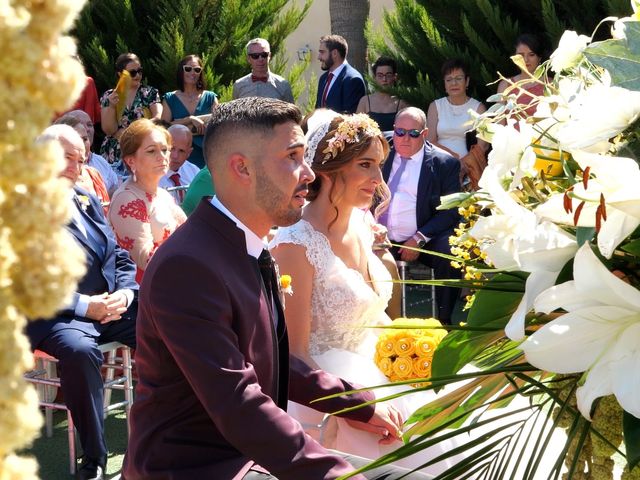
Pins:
x: 142, y: 214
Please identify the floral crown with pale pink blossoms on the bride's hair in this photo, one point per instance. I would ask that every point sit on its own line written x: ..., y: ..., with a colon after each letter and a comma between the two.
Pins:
x: 352, y: 130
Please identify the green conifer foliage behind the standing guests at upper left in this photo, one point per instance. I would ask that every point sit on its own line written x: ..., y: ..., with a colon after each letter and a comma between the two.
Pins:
x: 164, y: 31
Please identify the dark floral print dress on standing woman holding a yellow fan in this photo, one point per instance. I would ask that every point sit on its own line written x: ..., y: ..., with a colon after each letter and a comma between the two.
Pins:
x: 140, y: 108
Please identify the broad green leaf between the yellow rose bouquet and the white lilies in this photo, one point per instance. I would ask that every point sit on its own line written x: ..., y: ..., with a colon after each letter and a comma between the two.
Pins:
x: 491, y: 308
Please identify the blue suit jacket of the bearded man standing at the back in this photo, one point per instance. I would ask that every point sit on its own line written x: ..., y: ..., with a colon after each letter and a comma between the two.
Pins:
x: 345, y: 93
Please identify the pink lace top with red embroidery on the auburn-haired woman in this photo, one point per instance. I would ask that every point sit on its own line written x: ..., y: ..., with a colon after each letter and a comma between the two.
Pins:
x: 141, y: 221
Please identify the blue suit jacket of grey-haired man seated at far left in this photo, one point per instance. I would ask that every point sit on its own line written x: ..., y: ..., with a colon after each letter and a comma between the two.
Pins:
x: 108, y: 272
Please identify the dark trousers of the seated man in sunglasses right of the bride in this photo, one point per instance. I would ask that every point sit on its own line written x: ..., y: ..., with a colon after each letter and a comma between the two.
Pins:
x: 446, y: 297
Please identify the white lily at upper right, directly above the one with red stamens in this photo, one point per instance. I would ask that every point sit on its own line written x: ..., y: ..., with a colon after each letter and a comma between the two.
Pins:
x: 597, y: 114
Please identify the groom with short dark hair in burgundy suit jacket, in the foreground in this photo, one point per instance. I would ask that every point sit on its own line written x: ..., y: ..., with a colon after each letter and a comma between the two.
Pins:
x: 214, y: 368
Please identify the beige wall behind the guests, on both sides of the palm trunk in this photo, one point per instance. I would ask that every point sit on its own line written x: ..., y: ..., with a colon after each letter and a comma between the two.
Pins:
x: 317, y: 23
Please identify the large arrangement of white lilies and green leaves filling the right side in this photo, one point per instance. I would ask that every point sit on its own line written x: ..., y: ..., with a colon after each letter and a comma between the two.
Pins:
x: 550, y: 244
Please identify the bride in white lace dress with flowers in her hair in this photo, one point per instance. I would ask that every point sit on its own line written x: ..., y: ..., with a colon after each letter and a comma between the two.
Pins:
x: 340, y: 287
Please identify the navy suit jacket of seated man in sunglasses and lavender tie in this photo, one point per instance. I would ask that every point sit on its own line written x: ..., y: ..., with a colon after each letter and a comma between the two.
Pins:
x: 439, y: 175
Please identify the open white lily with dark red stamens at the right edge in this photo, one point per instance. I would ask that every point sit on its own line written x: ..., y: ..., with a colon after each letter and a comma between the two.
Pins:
x: 616, y: 179
